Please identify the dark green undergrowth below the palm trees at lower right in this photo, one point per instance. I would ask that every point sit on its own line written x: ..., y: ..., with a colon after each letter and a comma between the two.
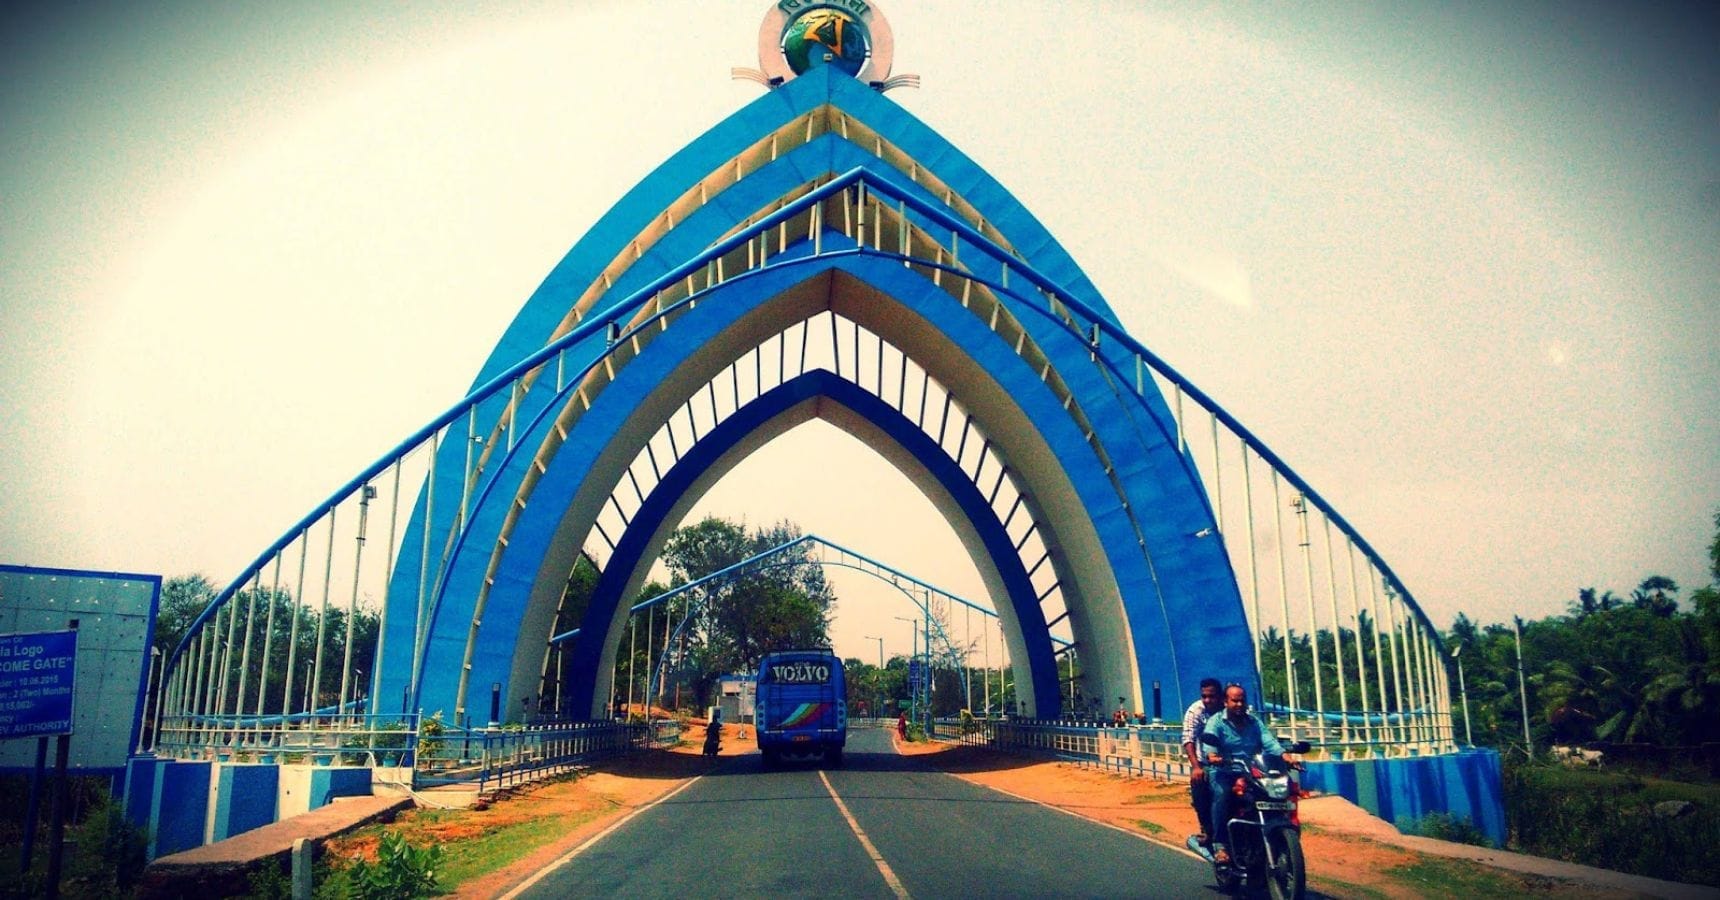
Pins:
x: 1609, y: 820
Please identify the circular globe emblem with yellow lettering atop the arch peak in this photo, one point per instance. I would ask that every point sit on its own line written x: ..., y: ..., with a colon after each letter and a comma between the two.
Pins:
x: 802, y: 35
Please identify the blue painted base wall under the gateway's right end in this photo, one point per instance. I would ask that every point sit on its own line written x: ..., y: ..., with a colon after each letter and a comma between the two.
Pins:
x: 1404, y: 791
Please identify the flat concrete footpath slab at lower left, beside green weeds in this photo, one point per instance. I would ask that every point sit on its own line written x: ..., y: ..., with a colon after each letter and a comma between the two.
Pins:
x: 224, y: 868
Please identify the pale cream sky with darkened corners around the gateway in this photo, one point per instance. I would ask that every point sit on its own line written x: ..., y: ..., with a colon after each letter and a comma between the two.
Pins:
x: 1456, y: 264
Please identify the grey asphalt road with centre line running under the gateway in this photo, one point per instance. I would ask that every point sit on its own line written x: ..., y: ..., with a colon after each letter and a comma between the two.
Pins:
x: 744, y: 830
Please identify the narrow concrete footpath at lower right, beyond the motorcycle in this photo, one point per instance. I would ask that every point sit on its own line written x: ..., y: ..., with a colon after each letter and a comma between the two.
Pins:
x: 1339, y: 815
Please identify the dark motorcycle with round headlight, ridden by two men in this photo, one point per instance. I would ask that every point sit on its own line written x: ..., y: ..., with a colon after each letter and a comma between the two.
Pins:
x: 1265, y: 829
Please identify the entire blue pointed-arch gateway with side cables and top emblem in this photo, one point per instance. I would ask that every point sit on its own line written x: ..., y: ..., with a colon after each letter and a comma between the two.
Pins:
x: 821, y: 254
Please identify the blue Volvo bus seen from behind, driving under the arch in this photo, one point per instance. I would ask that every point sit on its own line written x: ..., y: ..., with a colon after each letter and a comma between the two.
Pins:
x: 802, y: 706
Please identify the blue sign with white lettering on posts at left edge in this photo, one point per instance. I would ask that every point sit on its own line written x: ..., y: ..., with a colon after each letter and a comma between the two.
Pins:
x: 37, y: 675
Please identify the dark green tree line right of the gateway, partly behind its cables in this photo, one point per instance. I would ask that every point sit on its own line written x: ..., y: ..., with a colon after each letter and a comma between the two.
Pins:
x: 1637, y: 669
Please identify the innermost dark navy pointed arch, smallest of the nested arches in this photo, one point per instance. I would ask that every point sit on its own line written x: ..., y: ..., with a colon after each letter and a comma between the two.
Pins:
x: 787, y: 407
